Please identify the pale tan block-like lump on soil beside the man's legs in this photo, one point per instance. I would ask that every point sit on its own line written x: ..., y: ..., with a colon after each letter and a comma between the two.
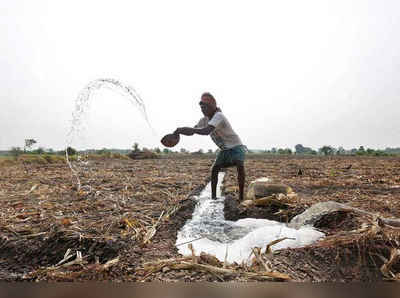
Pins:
x: 263, y: 187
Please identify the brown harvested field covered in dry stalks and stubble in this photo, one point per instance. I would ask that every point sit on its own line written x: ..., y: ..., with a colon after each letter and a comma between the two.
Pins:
x: 122, y: 224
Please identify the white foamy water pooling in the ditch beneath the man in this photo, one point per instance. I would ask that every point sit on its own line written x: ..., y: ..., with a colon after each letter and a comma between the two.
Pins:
x: 209, y: 232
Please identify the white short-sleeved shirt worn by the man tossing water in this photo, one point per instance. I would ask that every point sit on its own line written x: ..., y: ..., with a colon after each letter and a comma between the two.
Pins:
x: 223, y: 135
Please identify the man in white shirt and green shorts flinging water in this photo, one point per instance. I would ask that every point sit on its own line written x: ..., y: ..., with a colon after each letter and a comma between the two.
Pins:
x: 232, y: 153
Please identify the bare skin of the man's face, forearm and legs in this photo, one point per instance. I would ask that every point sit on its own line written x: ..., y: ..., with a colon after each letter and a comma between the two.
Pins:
x: 209, y: 111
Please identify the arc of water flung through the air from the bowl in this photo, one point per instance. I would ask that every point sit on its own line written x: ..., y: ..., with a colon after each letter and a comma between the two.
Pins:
x: 82, y: 105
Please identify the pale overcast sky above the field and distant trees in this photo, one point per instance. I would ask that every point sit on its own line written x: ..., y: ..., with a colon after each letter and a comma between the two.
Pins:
x: 283, y: 72
